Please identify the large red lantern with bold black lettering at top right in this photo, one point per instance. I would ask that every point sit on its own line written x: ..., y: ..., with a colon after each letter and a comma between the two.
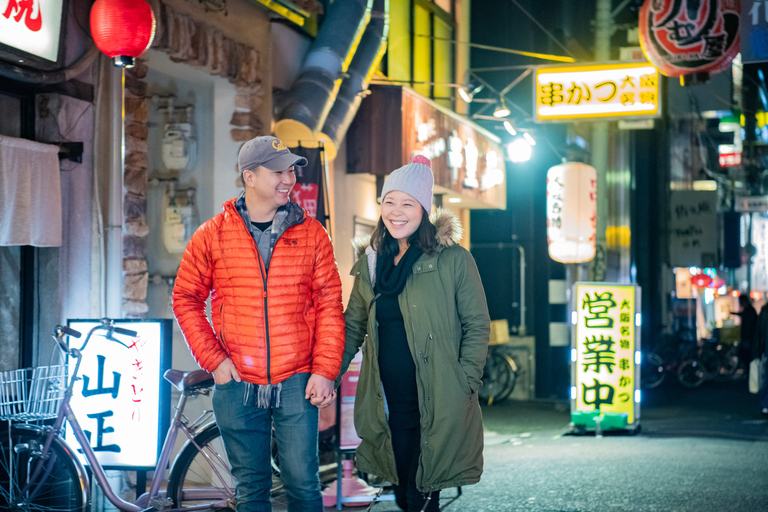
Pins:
x: 682, y: 38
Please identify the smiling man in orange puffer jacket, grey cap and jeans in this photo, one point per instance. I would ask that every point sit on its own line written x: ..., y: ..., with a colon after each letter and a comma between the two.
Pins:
x: 276, y: 338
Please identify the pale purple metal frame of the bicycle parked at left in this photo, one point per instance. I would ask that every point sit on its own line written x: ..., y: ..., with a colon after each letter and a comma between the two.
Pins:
x: 155, y: 497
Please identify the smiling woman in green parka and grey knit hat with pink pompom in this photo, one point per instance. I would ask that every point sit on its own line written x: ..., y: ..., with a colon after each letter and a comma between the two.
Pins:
x: 418, y: 309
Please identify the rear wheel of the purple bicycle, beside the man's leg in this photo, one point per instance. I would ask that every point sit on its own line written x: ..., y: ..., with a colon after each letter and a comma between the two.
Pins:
x: 201, y: 474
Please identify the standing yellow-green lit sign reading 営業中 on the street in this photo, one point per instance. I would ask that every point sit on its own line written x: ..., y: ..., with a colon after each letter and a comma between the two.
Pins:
x: 605, y: 372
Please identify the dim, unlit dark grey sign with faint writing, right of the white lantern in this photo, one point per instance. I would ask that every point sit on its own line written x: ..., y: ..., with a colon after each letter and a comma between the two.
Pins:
x: 693, y: 228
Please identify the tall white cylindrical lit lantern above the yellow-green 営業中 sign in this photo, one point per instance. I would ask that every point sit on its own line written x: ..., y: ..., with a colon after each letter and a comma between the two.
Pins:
x: 571, y: 212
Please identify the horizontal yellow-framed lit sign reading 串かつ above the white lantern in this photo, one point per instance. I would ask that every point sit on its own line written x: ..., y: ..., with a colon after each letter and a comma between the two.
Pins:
x: 597, y: 91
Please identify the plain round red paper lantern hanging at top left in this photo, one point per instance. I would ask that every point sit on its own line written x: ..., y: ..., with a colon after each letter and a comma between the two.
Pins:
x: 122, y: 29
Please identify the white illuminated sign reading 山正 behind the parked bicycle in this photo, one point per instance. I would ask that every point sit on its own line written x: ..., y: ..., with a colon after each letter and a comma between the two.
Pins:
x: 121, y: 400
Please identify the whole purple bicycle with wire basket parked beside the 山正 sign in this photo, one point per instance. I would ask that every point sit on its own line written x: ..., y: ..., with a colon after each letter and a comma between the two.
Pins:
x: 39, y: 471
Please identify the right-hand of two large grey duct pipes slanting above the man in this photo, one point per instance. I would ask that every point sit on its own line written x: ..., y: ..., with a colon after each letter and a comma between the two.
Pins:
x: 354, y: 86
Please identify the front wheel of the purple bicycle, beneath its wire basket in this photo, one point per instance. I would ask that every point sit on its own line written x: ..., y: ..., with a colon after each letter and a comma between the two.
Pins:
x: 58, y: 484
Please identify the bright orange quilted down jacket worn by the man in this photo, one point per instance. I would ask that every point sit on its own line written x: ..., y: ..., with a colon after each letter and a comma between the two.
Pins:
x: 272, y: 325
